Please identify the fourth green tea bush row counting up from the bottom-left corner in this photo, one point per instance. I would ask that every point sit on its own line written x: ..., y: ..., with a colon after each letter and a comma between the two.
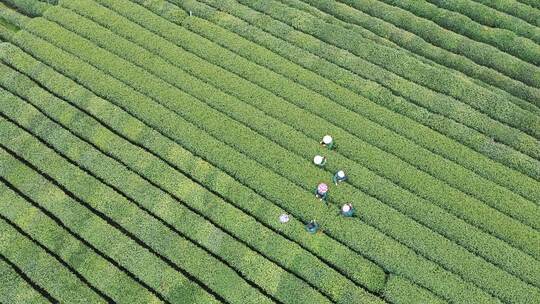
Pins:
x: 166, y: 279
